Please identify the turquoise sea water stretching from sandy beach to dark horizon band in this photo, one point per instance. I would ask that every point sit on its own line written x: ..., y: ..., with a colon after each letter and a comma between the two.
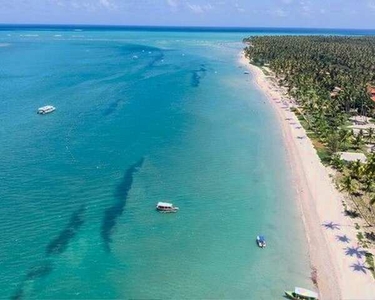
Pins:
x: 142, y: 116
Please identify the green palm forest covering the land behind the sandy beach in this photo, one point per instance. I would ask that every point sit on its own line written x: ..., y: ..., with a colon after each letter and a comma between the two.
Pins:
x: 331, y: 80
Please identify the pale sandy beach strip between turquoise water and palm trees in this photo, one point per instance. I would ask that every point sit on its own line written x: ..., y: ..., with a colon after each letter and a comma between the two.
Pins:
x: 338, y: 269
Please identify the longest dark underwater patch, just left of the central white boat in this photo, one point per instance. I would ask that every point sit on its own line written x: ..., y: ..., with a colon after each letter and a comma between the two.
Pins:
x: 112, y: 213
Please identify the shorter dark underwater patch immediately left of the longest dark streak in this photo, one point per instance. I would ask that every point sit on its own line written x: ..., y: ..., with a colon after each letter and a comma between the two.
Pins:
x: 61, y: 242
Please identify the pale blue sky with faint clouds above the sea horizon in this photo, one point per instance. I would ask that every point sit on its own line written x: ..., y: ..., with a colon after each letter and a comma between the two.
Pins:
x: 241, y: 13
